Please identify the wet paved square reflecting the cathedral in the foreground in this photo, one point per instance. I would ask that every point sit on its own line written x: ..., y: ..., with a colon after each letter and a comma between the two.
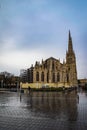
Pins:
x: 43, y: 111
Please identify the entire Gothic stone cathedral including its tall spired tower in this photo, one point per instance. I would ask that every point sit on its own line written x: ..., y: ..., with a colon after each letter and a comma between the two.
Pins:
x: 52, y: 72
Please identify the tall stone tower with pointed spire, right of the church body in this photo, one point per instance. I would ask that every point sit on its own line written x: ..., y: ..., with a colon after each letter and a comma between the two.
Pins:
x: 71, y: 64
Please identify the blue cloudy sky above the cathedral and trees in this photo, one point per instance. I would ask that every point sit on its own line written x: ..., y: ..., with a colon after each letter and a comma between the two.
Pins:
x: 34, y: 29
